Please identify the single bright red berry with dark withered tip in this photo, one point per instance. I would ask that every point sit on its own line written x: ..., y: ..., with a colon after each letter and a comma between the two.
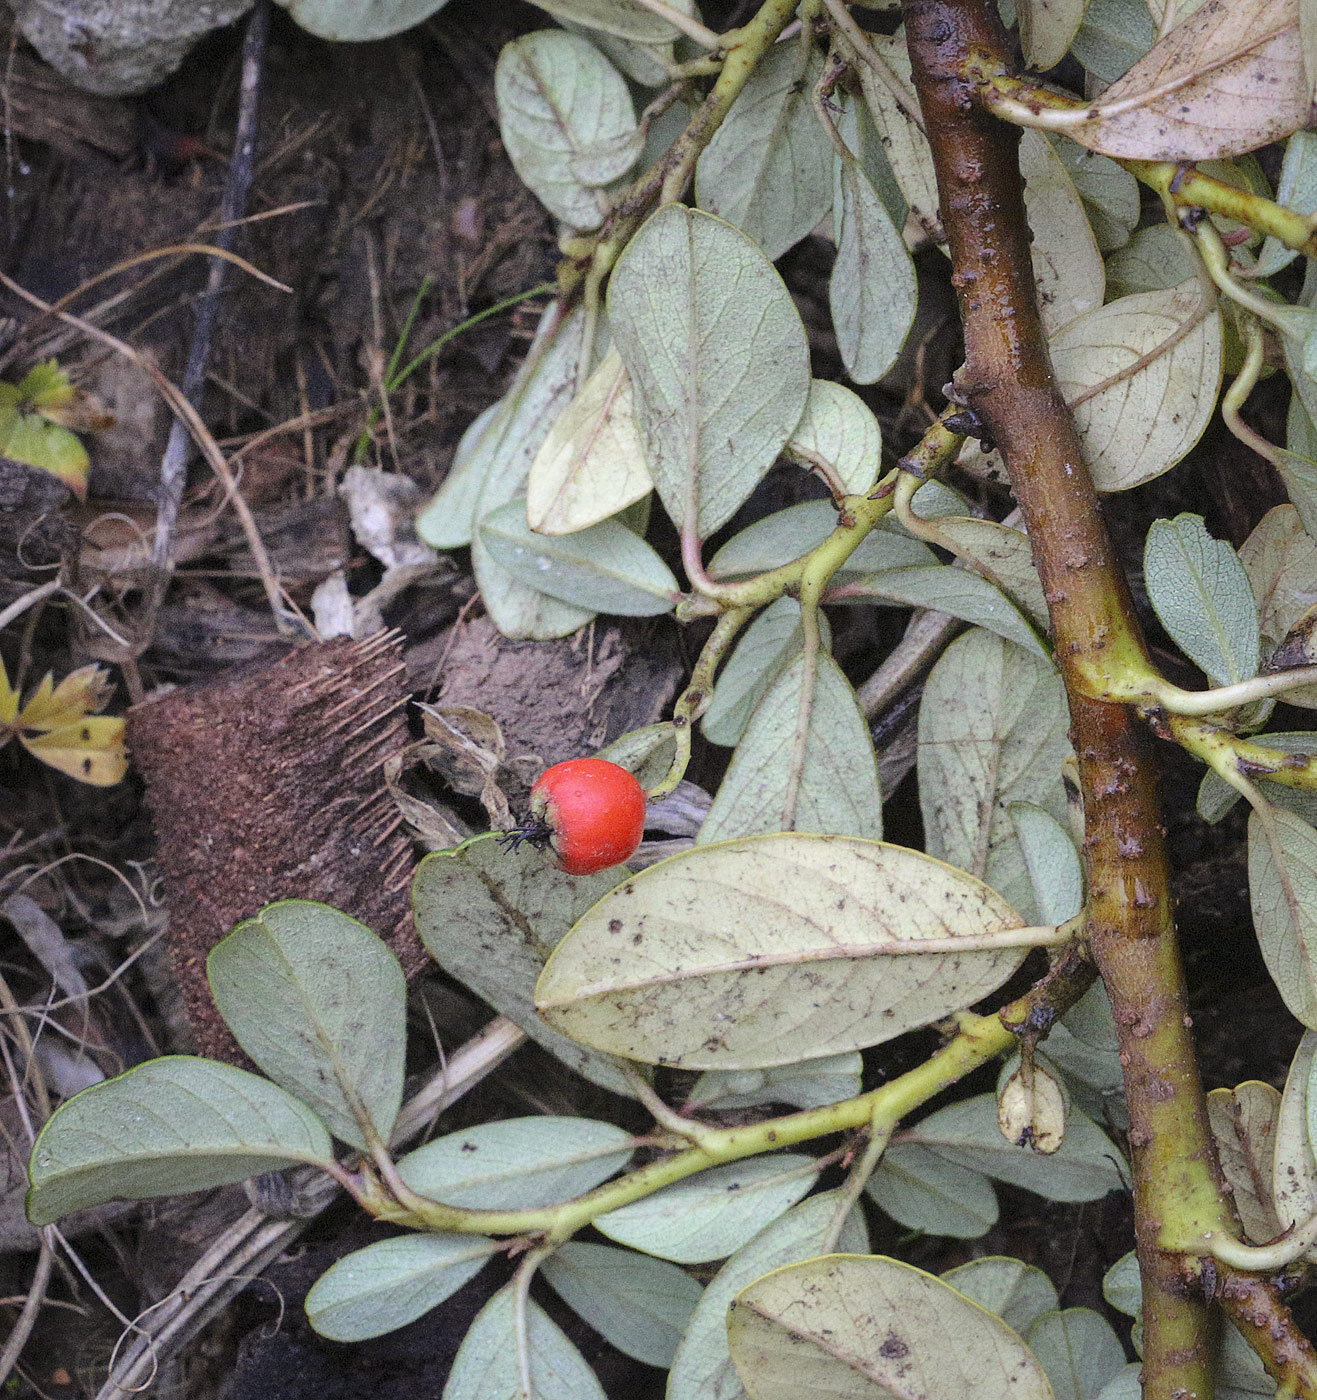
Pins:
x: 596, y: 813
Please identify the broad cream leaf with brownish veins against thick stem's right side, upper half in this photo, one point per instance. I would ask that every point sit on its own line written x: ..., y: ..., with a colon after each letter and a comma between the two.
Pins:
x: 1141, y: 376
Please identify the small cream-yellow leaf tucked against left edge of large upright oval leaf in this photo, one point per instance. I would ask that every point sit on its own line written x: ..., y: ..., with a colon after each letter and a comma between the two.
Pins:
x: 591, y: 465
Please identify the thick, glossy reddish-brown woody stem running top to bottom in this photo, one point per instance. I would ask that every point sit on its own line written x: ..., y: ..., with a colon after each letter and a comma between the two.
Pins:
x: 1008, y: 383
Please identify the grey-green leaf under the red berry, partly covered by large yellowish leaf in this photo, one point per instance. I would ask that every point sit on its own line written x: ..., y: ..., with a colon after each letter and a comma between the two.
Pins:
x: 492, y: 919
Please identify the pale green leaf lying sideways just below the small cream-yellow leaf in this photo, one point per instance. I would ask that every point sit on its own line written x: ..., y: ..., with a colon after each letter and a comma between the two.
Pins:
x: 605, y: 568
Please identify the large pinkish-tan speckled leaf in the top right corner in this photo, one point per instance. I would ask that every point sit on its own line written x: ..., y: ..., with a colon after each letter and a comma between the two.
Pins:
x: 1227, y: 80
